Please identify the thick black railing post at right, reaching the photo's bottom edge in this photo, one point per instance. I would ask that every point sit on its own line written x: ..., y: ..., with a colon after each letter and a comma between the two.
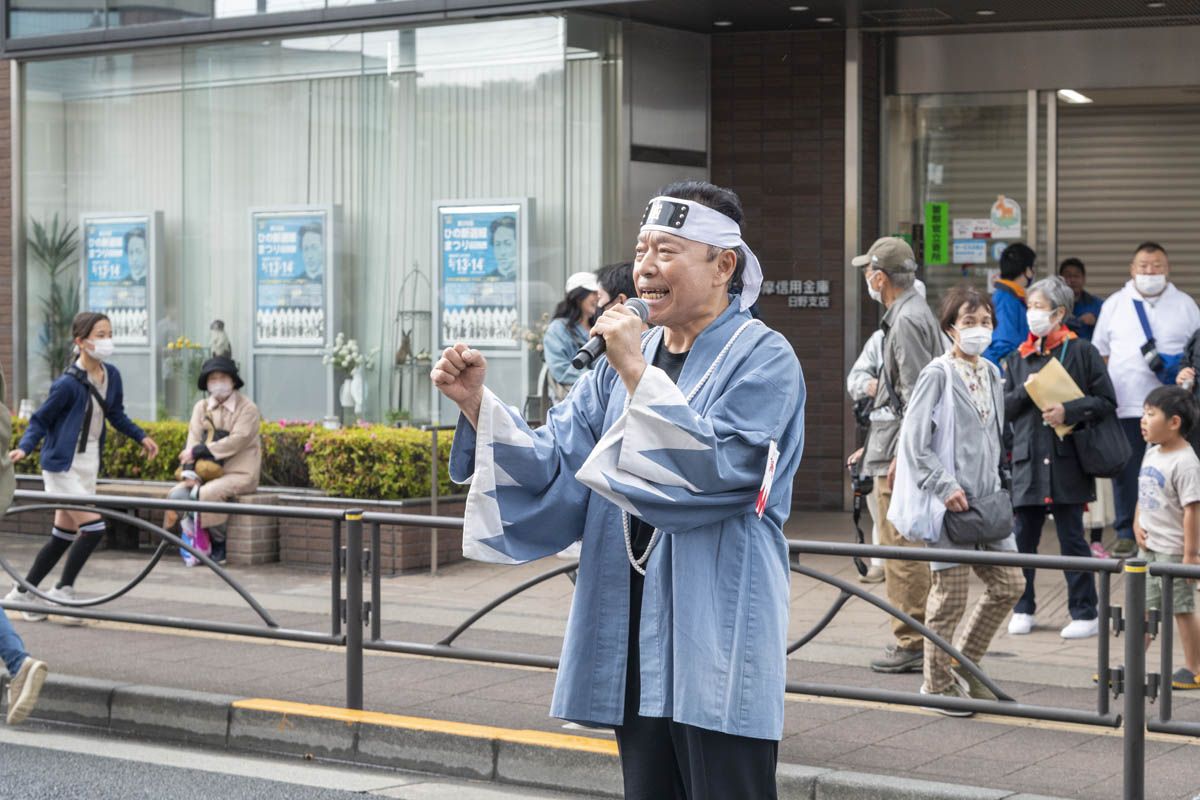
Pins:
x: 1136, y: 681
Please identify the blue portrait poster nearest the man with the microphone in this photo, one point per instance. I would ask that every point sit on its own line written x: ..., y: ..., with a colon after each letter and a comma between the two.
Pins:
x: 482, y: 266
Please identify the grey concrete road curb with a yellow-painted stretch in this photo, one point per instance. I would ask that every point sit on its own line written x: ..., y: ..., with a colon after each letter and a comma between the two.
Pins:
x: 532, y: 759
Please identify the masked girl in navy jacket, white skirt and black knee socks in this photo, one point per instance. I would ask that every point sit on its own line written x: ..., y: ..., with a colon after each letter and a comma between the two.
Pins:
x: 73, y: 423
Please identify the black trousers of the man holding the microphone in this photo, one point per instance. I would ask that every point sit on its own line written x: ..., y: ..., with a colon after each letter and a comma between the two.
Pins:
x: 664, y: 760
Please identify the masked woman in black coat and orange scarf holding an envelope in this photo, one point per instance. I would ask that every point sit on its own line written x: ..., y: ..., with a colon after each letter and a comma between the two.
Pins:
x: 1047, y: 477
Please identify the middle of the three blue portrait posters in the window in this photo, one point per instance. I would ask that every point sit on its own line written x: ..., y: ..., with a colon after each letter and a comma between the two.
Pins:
x: 292, y: 258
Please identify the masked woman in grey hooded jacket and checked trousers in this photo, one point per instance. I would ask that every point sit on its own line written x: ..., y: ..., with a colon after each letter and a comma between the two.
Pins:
x: 979, y: 410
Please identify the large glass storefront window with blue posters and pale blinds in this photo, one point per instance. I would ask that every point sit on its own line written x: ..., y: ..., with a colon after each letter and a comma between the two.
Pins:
x: 298, y: 183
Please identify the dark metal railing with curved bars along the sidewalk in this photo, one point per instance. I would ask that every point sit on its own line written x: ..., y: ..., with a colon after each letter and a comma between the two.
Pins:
x: 351, y: 613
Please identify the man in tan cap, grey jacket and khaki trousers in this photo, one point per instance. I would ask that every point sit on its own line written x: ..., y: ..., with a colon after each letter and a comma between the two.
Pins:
x: 911, y: 340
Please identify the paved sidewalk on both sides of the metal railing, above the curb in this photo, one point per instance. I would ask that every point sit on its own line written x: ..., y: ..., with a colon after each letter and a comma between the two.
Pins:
x: 827, y: 735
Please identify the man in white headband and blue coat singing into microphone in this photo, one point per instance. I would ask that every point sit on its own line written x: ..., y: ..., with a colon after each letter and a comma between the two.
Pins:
x: 674, y: 459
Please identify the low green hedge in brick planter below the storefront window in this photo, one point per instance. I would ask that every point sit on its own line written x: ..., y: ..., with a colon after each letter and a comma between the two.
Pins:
x: 365, y: 461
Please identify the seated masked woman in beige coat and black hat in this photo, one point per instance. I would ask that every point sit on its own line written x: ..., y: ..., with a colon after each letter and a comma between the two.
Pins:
x: 225, y: 429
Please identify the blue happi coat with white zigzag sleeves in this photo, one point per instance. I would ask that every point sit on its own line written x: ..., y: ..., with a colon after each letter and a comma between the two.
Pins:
x: 716, y: 604
